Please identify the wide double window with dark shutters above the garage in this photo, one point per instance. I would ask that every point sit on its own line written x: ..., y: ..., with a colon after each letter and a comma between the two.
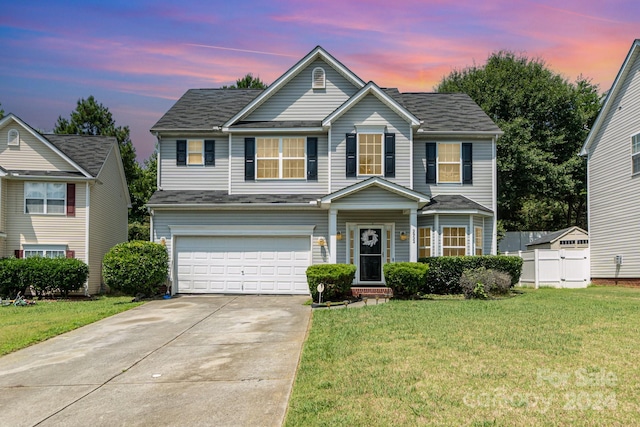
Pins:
x: 281, y: 158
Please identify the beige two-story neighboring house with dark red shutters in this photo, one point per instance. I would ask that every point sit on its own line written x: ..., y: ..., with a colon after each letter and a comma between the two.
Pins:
x: 61, y: 195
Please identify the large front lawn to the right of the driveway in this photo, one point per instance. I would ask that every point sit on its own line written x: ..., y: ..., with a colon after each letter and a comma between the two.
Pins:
x: 545, y: 357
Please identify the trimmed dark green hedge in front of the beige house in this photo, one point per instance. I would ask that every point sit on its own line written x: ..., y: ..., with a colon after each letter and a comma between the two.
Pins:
x: 43, y: 275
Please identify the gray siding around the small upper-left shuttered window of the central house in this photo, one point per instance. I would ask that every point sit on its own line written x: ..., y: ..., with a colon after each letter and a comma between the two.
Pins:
x: 175, y: 177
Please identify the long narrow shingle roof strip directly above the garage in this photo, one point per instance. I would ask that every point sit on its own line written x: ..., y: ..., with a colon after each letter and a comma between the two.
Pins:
x: 181, y: 197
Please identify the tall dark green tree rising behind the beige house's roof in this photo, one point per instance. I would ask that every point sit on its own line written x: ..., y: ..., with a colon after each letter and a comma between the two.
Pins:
x: 93, y: 118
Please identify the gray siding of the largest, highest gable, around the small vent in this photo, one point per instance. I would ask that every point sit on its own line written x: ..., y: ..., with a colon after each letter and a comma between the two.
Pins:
x: 298, y: 101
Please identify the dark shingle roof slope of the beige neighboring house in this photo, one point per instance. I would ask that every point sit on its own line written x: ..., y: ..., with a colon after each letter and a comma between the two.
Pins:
x: 88, y: 151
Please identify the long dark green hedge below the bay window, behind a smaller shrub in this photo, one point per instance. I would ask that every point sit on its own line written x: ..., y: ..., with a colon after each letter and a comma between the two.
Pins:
x: 445, y: 272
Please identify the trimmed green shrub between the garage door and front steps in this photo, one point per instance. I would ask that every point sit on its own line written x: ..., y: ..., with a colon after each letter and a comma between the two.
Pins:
x: 337, y: 280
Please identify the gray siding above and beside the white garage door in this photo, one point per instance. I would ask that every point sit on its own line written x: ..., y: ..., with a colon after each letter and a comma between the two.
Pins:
x: 163, y: 219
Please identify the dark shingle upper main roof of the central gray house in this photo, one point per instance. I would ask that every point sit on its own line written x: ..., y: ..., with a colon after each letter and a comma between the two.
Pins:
x: 203, y: 109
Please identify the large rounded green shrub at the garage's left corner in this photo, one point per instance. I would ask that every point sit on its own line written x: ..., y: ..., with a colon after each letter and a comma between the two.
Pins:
x: 136, y: 267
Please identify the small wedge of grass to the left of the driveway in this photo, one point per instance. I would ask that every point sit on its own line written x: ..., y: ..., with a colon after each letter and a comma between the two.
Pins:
x: 23, y: 326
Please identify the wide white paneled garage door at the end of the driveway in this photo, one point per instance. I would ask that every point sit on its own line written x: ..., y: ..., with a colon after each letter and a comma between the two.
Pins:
x: 250, y: 265
